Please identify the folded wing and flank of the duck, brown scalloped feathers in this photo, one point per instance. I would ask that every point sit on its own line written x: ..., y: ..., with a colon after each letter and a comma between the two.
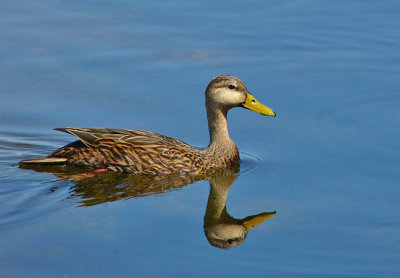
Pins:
x: 130, y: 150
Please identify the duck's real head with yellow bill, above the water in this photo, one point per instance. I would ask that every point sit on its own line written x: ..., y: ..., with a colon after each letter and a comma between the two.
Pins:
x: 227, y: 91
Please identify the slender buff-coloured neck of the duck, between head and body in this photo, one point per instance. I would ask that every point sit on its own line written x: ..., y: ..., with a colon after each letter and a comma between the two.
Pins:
x: 220, y: 142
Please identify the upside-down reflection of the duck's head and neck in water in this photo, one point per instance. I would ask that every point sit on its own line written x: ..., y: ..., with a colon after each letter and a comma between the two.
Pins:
x: 221, y: 229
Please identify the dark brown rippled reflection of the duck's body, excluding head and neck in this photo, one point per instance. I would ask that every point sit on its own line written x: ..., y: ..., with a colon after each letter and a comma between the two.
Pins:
x: 94, y: 188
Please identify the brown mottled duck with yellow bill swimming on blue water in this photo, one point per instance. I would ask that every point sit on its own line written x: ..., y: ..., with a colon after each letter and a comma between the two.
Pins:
x: 144, y: 152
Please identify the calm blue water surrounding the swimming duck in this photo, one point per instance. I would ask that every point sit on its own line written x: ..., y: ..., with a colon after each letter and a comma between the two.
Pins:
x: 328, y: 164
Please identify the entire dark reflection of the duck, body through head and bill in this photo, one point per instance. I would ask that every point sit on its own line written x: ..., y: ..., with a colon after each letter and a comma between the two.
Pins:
x: 221, y: 229
